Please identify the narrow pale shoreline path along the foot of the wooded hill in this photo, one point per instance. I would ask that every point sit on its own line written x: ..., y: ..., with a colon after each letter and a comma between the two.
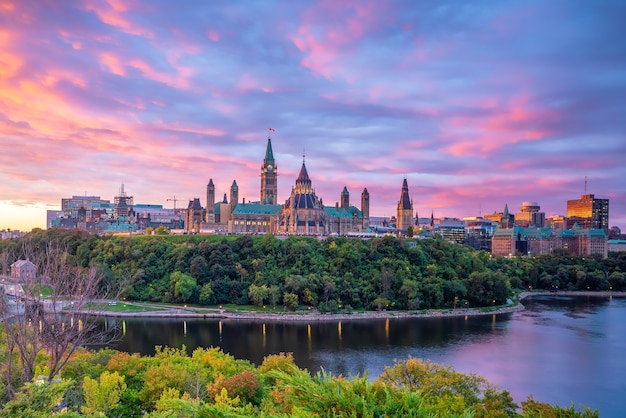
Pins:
x: 169, y: 311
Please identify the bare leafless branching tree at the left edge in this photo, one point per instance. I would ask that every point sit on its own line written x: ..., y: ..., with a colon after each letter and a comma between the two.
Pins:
x: 54, y: 316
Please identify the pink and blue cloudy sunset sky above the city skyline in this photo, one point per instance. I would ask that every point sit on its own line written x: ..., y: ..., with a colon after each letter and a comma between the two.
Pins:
x: 477, y: 104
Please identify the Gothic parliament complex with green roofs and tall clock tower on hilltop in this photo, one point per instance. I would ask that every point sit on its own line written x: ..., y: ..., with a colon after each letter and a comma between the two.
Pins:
x: 303, y: 213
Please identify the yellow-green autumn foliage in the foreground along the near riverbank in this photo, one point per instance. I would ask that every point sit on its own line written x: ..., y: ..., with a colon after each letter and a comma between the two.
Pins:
x: 210, y: 383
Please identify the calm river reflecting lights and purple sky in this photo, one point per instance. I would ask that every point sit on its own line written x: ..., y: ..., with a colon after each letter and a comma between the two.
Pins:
x: 560, y: 349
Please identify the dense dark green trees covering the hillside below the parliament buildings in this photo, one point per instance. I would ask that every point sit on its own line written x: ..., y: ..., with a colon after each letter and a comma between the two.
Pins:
x: 331, y: 274
